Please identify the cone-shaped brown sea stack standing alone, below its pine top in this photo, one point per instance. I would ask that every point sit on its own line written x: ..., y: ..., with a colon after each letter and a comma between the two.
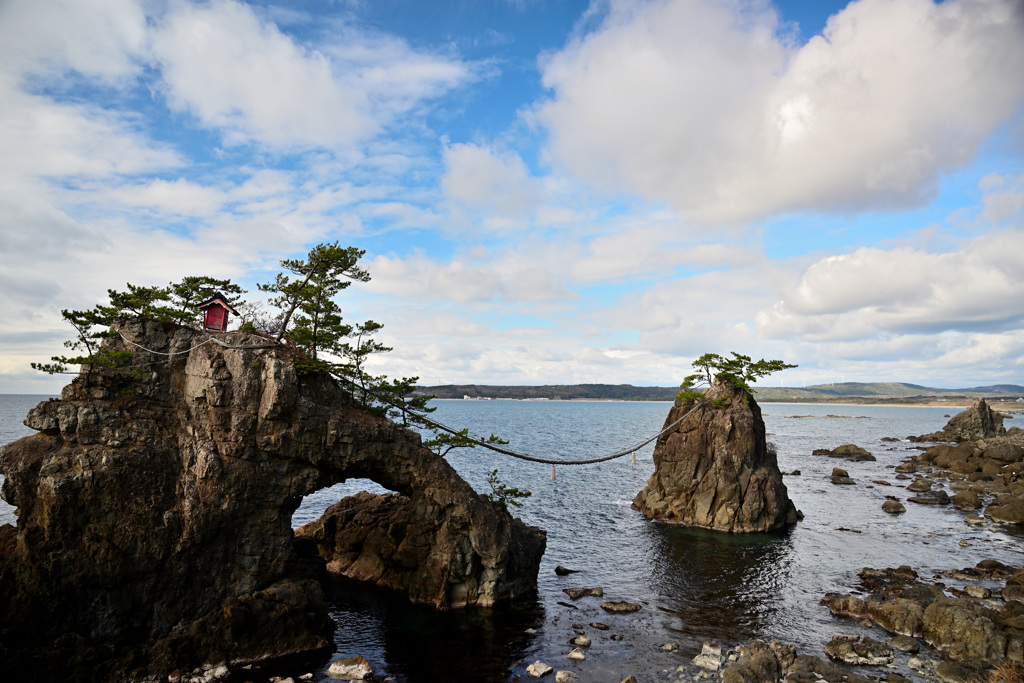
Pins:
x: 716, y: 471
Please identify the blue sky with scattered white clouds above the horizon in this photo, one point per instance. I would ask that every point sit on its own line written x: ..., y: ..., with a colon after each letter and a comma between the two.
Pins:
x: 547, y: 192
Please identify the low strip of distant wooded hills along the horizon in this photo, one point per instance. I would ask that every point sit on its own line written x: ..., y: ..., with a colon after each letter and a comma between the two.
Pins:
x: 865, y: 392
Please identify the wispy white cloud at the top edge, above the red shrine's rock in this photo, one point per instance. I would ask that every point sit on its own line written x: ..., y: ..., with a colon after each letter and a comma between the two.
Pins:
x: 245, y: 77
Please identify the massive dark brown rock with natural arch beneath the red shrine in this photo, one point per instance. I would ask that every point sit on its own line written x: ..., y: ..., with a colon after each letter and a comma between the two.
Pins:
x: 155, y: 514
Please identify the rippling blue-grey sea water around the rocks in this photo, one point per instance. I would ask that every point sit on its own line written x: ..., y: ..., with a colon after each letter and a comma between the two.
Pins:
x: 694, y: 586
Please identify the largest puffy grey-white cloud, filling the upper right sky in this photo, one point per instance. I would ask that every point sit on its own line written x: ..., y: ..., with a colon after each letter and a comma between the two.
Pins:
x: 709, y: 106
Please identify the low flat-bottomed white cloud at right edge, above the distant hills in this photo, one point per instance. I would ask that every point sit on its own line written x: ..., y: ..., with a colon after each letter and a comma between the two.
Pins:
x: 876, y: 291
